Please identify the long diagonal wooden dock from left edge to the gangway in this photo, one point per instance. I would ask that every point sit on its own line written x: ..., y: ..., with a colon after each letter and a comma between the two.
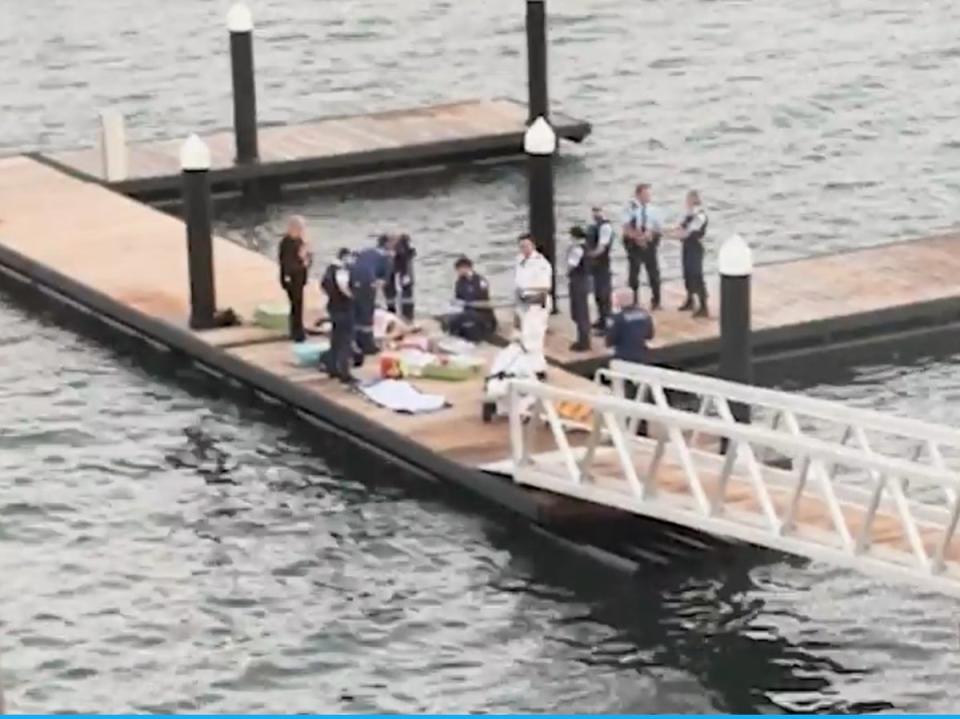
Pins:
x: 129, y: 261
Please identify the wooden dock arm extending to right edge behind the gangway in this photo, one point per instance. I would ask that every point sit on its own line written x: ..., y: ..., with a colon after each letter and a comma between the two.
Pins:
x: 806, y: 303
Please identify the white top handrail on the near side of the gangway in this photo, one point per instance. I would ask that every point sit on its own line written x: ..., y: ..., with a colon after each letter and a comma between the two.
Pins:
x: 790, y: 445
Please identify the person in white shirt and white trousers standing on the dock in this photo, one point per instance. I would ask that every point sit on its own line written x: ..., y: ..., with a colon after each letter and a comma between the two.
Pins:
x: 534, y: 279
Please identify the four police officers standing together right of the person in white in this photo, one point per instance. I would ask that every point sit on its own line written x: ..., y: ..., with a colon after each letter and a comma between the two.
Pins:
x: 588, y: 260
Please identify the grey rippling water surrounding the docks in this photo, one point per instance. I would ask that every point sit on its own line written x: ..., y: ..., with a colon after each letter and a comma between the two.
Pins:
x: 161, y: 548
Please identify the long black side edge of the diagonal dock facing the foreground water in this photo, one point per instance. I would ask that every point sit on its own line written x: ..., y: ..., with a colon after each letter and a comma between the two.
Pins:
x: 502, y: 495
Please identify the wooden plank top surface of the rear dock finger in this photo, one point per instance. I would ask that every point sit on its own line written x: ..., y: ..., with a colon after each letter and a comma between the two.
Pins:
x: 329, y: 137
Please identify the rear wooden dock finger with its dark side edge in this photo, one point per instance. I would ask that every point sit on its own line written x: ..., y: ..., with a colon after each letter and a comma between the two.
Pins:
x: 332, y: 147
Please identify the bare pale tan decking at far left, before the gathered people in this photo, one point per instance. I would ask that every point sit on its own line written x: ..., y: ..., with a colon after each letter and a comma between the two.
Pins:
x: 127, y: 250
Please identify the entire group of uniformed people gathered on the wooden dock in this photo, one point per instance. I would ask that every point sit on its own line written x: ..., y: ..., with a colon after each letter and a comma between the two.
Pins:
x: 353, y: 278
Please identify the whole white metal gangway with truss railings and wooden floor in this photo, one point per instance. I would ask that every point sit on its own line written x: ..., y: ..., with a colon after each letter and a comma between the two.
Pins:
x: 861, y: 489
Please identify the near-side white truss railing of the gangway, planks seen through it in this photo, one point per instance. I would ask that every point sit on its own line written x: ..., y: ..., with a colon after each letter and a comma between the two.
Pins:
x: 875, y: 528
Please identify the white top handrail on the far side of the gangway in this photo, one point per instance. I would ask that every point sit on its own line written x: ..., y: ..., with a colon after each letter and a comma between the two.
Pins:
x: 776, y: 400
